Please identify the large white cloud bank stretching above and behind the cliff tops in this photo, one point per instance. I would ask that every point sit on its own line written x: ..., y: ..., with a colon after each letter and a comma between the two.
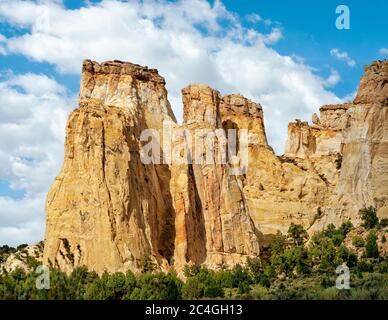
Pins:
x: 188, y: 41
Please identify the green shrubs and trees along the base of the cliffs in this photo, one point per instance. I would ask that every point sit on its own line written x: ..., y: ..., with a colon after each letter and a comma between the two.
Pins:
x: 292, y: 266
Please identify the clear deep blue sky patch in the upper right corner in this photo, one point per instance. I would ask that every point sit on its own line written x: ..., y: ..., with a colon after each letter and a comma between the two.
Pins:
x: 310, y: 32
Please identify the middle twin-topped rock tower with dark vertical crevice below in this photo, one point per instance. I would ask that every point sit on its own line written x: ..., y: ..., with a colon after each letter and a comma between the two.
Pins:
x: 213, y: 223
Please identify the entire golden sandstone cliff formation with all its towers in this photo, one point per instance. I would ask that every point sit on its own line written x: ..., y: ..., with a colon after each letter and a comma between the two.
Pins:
x: 109, y: 210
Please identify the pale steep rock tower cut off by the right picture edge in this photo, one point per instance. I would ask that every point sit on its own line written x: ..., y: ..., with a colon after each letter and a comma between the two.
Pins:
x: 363, y: 178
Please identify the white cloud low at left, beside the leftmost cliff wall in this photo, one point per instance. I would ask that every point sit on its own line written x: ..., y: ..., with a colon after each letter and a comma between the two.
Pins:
x: 33, y: 113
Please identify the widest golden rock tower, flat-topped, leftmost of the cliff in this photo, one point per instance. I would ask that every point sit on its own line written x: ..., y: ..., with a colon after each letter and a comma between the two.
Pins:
x: 106, y: 209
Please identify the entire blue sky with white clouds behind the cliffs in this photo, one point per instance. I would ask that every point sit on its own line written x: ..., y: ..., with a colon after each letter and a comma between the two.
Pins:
x: 287, y: 55
